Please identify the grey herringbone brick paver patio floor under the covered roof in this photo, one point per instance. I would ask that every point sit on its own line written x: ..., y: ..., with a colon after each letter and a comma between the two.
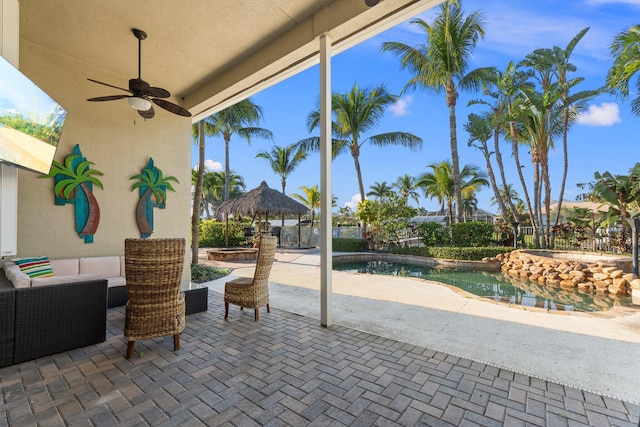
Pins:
x: 284, y: 370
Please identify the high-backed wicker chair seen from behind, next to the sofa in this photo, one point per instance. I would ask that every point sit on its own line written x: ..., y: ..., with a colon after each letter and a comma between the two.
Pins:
x: 156, y: 305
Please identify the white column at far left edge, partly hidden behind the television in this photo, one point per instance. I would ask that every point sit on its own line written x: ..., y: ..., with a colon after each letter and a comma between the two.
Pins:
x: 9, y: 49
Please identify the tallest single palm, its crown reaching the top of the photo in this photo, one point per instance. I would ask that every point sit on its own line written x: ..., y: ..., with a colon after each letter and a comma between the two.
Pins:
x: 441, y: 65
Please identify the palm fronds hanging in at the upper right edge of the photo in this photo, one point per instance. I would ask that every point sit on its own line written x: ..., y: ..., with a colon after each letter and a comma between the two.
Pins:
x: 625, y: 50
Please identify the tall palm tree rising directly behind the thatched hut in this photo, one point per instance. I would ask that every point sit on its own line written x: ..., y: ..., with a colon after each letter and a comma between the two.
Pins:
x: 240, y: 119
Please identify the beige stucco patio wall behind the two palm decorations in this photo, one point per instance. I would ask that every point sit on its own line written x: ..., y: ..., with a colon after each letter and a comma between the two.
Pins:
x: 107, y: 136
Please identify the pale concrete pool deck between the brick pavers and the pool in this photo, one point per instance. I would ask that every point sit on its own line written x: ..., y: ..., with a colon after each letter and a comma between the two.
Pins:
x: 594, y: 352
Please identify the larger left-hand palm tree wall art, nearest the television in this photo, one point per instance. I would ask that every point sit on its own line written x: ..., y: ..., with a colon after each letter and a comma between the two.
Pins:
x: 74, y: 174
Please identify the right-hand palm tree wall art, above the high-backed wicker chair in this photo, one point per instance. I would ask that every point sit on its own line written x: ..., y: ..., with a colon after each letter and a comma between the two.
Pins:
x: 153, y: 187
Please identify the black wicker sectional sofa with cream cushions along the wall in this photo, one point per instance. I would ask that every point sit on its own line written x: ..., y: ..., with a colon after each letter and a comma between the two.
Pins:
x: 41, y: 316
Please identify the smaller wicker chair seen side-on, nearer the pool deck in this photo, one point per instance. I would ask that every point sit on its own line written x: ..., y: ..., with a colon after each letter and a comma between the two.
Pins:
x: 253, y: 292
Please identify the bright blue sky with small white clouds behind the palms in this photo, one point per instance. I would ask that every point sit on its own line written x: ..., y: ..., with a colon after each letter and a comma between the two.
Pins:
x: 605, y: 139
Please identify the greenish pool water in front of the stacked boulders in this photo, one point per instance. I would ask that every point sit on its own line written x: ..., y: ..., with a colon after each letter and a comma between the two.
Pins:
x: 496, y: 286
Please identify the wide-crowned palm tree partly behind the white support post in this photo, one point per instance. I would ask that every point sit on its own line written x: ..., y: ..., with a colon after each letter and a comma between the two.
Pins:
x: 357, y: 113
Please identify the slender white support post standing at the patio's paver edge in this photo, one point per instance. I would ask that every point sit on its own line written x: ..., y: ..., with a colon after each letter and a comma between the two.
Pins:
x: 326, y: 253
